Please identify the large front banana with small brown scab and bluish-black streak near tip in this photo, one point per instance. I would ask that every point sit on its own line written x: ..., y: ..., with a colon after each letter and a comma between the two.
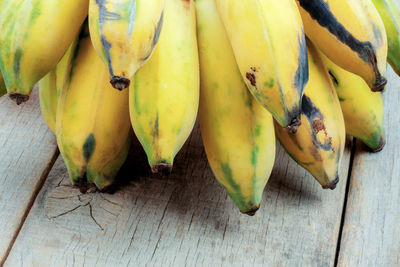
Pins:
x: 269, y: 45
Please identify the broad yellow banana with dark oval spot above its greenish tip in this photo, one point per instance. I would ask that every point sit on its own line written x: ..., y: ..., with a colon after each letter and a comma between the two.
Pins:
x: 92, y: 124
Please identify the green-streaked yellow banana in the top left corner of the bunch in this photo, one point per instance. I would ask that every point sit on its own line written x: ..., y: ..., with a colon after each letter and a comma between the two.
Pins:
x: 34, y: 36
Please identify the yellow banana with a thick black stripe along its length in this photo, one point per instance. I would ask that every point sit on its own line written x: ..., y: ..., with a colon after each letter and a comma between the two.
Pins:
x: 351, y: 34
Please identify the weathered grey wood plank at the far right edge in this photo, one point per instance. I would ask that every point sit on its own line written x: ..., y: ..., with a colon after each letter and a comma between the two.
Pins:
x: 371, y: 232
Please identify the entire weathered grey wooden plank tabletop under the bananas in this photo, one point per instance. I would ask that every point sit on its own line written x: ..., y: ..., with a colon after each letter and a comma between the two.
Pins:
x: 187, y: 218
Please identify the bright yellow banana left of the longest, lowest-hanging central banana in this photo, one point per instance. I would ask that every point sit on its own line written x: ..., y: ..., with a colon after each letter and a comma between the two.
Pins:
x: 165, y: 95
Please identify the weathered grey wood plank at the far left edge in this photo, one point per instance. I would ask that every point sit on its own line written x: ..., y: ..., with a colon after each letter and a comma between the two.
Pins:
x: 27, y: 152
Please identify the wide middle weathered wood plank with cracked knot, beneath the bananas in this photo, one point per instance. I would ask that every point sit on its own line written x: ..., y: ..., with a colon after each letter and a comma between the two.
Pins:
x: 186, y: 218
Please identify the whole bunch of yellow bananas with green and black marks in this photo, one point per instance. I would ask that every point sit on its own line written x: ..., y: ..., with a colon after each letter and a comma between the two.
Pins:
x: 307, y: 71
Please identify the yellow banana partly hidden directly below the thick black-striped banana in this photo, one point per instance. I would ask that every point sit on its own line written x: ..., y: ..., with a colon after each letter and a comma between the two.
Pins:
x: 362, y: 109
